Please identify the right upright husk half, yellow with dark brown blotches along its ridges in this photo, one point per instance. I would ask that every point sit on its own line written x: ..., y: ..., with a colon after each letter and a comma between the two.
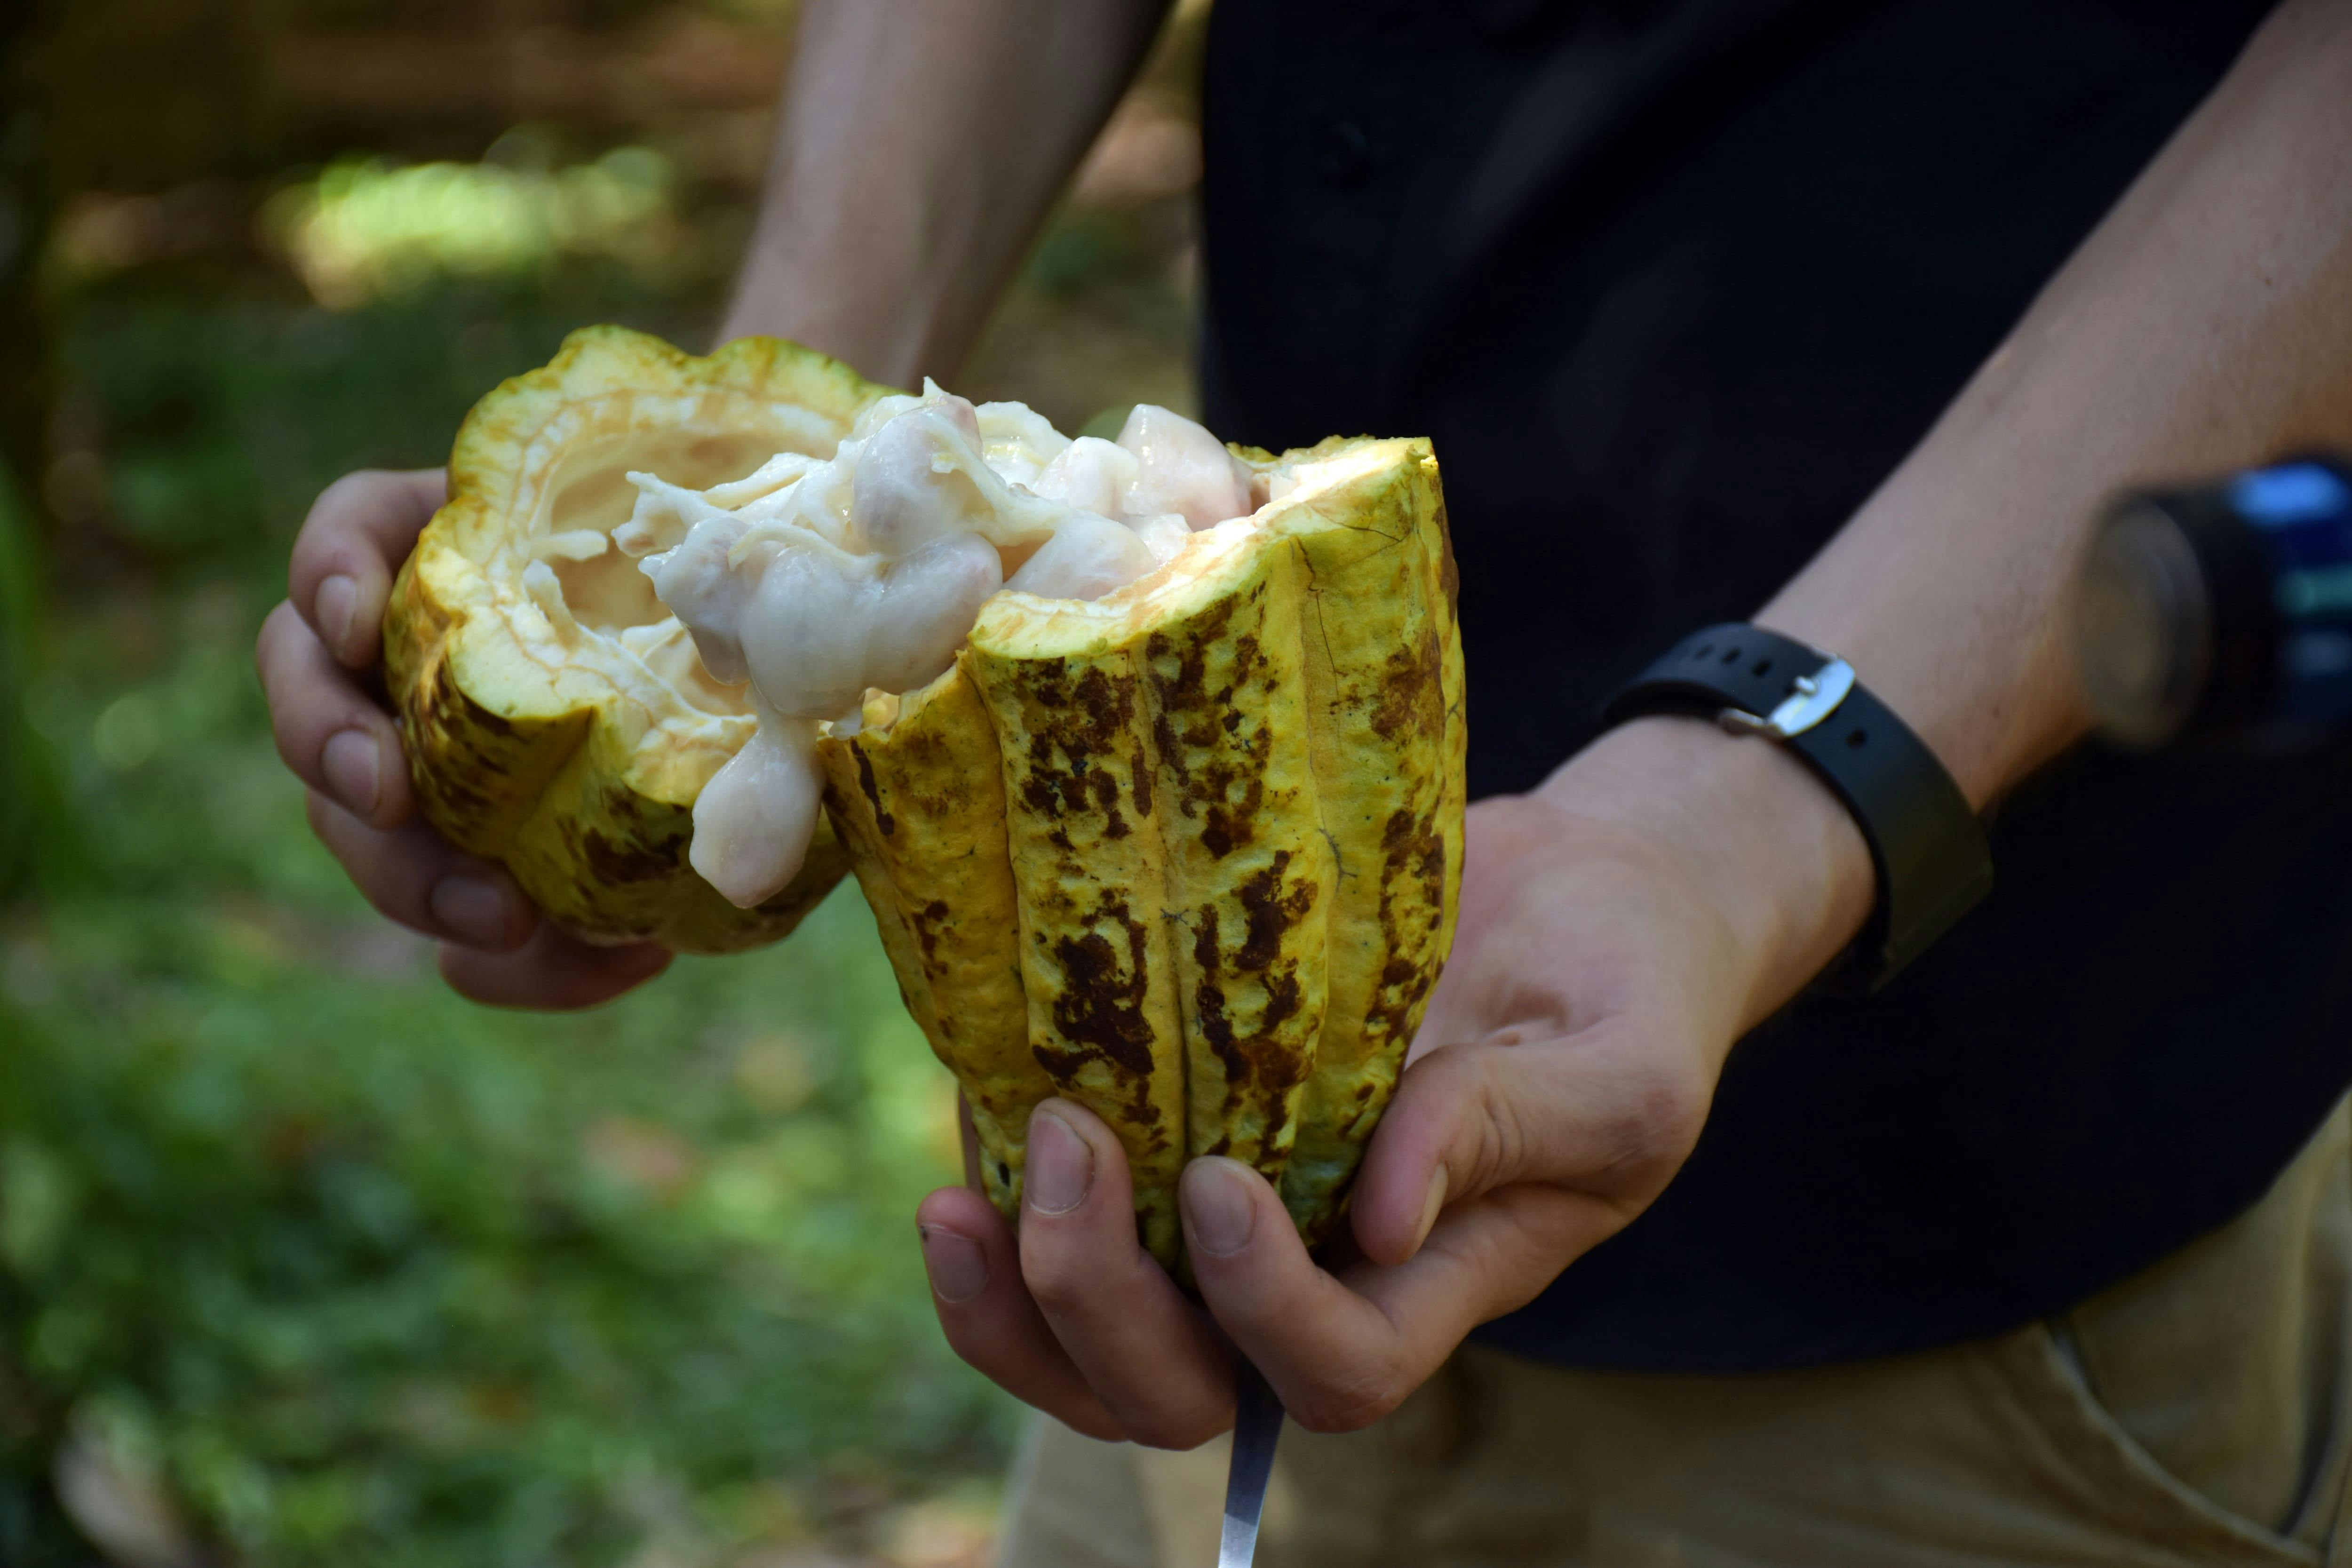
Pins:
x: 1189, y: 855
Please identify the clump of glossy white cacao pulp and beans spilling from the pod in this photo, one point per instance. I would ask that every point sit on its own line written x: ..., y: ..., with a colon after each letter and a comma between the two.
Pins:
x: 817, y: 579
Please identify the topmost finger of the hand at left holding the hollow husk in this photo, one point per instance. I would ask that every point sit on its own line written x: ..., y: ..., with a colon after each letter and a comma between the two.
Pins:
x: 352, y: 544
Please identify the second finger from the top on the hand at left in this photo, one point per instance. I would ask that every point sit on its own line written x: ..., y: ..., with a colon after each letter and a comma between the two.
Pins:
x: 328, y: 730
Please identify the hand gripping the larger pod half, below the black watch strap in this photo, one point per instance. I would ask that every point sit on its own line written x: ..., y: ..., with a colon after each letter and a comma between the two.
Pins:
x: 1619, y: 932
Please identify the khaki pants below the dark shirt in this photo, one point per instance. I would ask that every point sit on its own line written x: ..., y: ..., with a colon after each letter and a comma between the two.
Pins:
x: 2191, y: 1416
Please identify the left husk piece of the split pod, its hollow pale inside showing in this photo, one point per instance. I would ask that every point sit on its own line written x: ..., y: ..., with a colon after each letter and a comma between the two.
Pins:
x: 535, y: 737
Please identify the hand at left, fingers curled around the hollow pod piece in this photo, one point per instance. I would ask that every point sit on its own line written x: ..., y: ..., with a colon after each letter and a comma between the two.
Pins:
x: 319, y: 657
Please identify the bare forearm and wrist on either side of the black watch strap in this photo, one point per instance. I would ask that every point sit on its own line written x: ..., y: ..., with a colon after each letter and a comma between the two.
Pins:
x: 2207, y: 323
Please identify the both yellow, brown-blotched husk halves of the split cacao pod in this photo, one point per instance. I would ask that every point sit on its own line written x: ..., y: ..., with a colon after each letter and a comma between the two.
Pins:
x: 1187, y: 855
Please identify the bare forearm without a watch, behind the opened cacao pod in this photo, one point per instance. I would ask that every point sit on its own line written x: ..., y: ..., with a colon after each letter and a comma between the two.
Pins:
x: 918, y: 147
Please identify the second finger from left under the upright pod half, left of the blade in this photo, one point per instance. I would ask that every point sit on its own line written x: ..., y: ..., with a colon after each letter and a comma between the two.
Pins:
x: 1149, y: 1355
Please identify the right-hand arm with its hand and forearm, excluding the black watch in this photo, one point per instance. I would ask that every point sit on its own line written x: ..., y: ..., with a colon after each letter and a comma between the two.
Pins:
x: 1671, y: 887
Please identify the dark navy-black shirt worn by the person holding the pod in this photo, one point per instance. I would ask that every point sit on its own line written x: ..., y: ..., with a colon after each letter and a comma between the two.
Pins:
x: 1673, y: 288
